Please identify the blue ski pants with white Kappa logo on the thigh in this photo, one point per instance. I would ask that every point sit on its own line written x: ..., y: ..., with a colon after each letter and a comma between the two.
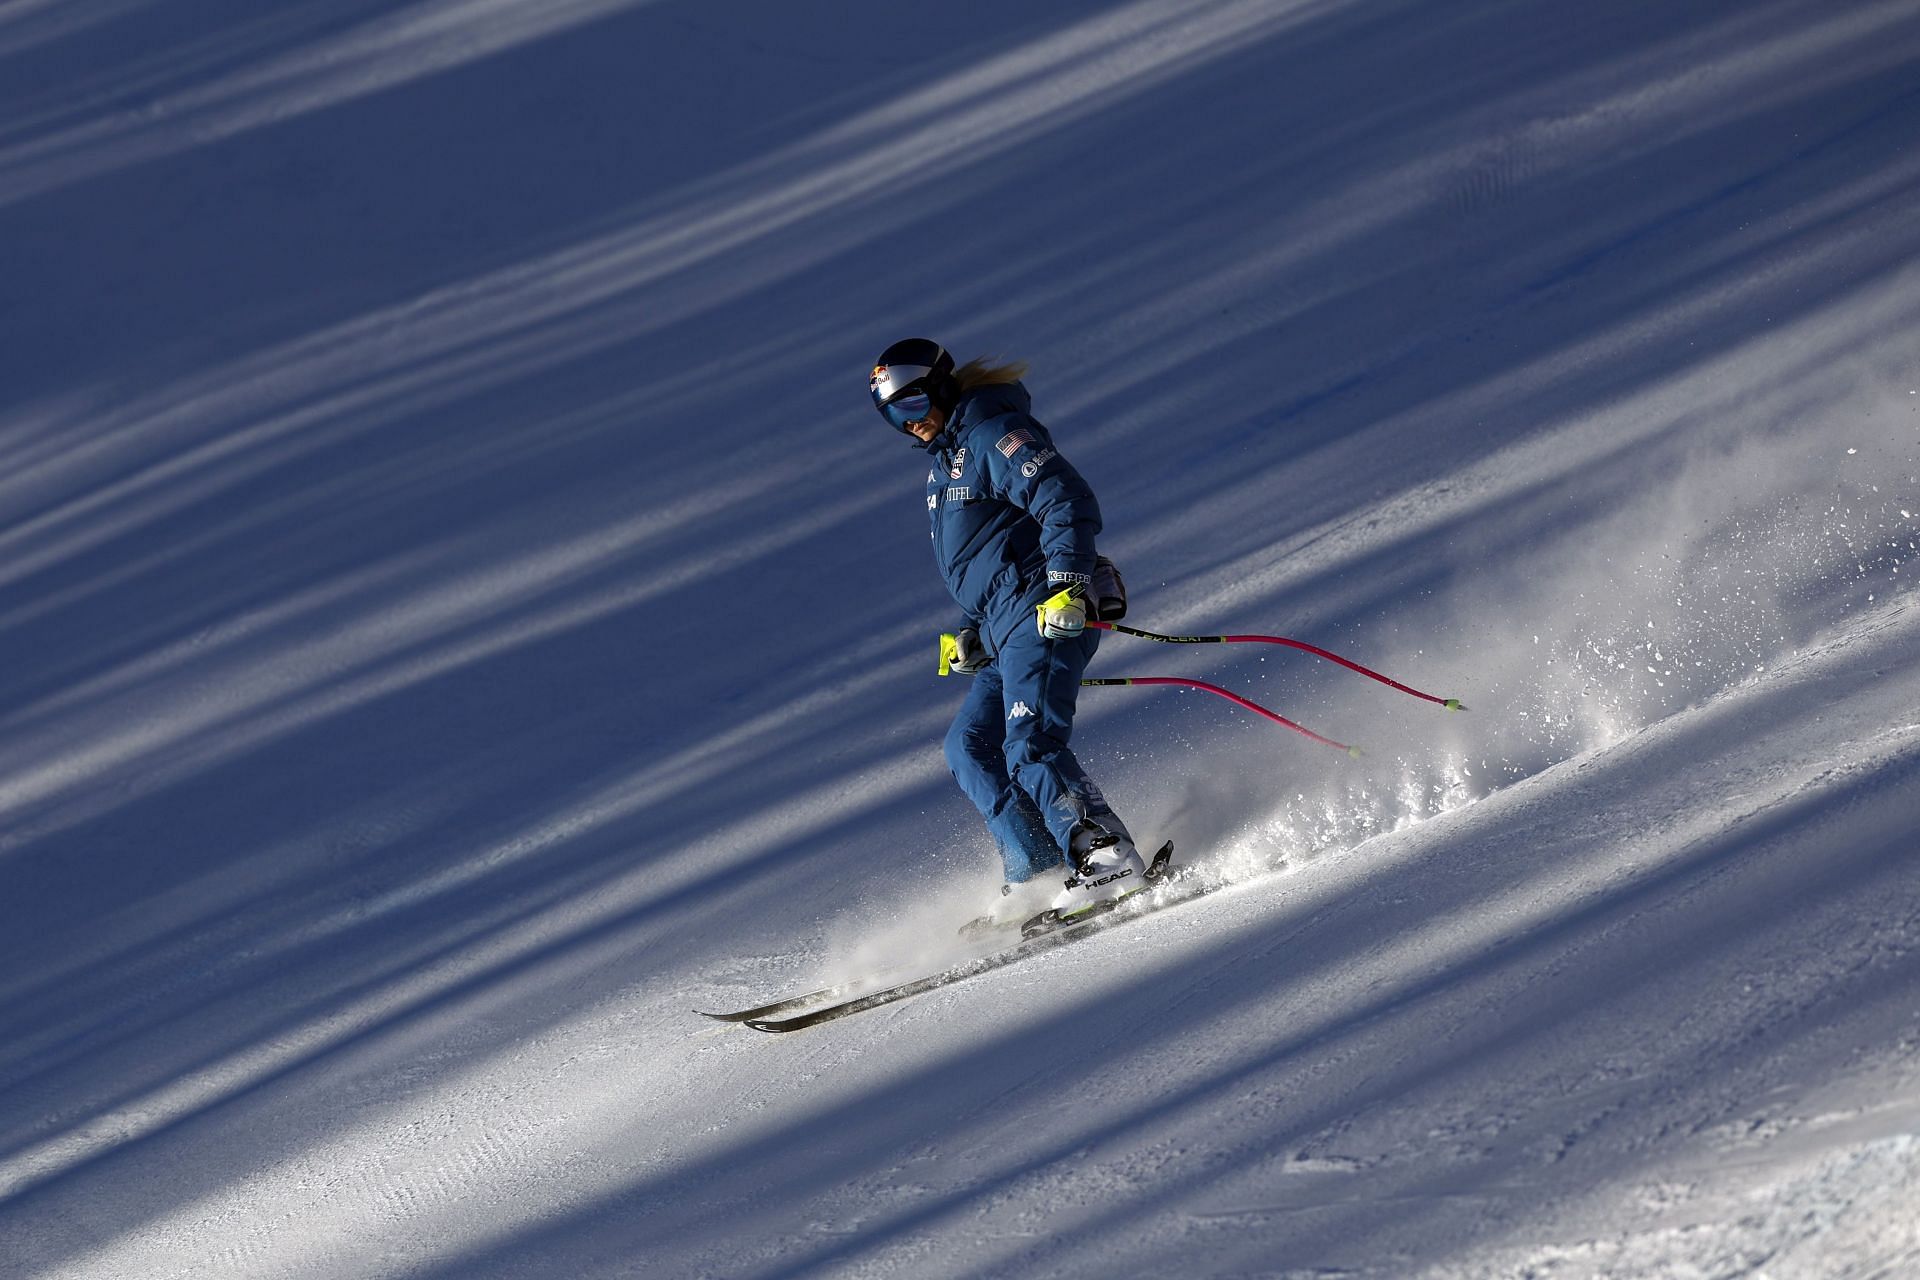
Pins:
x: 1009, y: 751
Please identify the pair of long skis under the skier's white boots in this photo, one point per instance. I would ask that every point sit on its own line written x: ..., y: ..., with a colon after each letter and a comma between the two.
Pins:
x: 1042, y: 934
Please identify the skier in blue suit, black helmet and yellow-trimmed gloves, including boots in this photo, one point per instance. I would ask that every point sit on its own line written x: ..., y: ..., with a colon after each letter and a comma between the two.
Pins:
x: 1015, y: 536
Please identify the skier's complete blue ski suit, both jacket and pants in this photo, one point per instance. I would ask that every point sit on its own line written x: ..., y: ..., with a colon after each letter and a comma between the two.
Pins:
x: 1013, y: 523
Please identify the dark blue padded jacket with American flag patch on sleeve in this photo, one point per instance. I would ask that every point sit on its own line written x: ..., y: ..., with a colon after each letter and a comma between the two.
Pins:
x: 1013, y: 521
